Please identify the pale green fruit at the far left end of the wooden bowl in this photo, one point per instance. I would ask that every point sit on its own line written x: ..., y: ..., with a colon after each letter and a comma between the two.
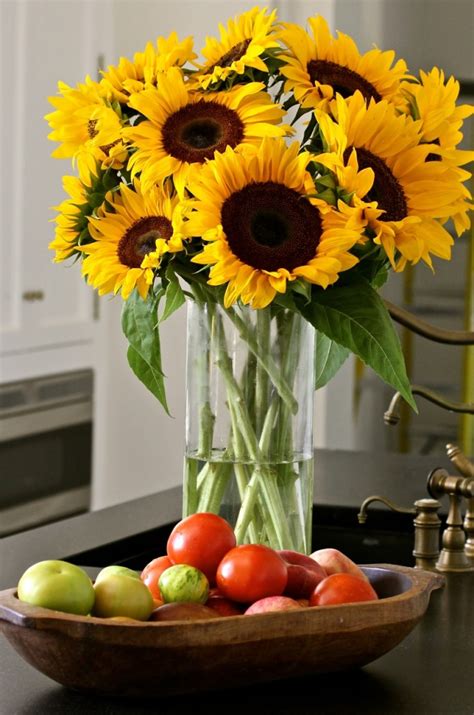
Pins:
x: 58, y: 585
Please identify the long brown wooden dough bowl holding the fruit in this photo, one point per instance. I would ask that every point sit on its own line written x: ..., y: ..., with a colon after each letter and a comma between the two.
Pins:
x: 164, y: 658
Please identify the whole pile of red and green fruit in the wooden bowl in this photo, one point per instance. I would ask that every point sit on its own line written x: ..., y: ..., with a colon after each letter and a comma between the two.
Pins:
x: 251, y: 578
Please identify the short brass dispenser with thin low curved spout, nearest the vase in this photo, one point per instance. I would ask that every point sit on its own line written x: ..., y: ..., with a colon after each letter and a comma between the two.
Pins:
x: 427, y: 525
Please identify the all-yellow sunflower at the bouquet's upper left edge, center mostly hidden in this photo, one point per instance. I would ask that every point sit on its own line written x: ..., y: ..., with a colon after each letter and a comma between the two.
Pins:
x: 86, y: 126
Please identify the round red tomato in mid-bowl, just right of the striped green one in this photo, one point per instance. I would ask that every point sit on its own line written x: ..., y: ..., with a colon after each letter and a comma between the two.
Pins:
x: 250, y: 572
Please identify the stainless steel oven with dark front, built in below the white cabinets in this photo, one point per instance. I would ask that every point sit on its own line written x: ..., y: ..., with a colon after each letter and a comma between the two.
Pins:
x: 45, y: 449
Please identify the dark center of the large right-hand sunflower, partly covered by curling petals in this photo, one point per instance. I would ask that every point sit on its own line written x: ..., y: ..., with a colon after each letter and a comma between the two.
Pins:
x: 386, y: 189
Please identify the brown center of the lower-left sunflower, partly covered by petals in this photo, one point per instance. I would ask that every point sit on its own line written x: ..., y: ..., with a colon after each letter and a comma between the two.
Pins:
x: 140, y: 239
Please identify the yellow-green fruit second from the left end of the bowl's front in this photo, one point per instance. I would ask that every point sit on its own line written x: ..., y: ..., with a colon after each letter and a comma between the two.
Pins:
x: 118, y: 594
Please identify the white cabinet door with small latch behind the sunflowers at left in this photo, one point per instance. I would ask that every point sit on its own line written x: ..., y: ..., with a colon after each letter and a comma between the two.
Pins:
x: 42, y: 306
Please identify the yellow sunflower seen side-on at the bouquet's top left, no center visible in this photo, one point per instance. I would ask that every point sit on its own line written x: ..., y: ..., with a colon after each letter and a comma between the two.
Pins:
x: 131, y: 77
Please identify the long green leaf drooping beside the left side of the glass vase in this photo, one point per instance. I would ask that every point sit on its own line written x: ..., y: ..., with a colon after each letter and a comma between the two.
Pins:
x: 140, y: 327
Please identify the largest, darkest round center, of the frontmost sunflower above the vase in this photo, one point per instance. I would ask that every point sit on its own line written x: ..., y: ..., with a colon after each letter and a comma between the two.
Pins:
x: 269, y: 226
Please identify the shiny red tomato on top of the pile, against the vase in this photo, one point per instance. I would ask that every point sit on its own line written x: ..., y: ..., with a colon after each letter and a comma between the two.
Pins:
x: 201, y: 540
